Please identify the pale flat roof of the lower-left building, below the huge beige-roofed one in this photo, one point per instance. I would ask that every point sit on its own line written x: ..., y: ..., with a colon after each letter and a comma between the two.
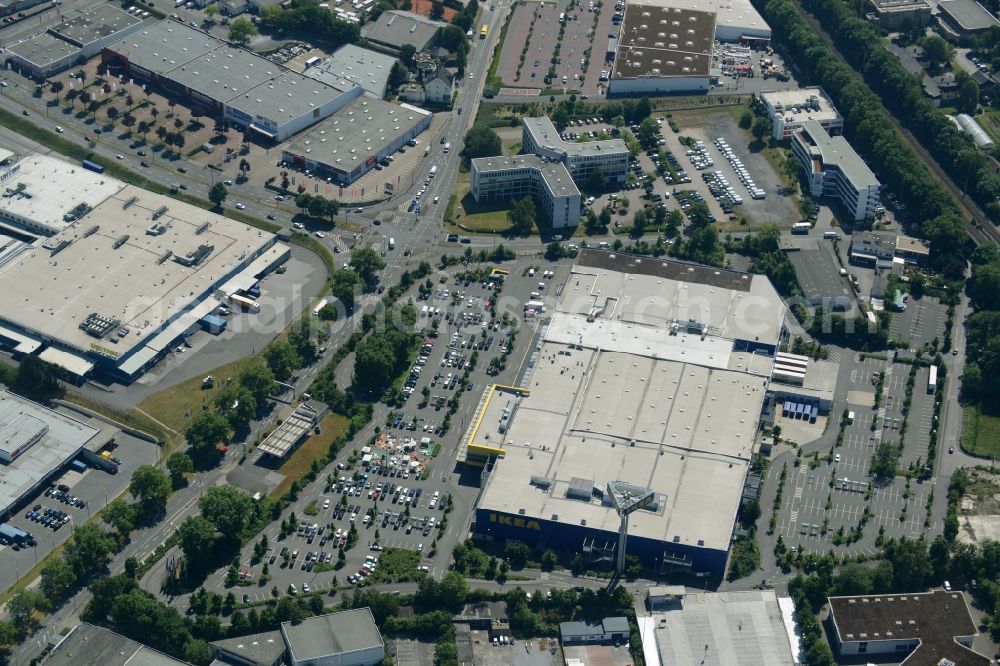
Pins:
x: 65, y: 437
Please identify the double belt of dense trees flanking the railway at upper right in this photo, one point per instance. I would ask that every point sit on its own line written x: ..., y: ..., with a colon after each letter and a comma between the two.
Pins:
x: 872, y: 133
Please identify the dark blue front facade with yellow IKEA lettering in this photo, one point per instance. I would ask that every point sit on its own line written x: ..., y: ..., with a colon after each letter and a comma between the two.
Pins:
x: 563, y: 536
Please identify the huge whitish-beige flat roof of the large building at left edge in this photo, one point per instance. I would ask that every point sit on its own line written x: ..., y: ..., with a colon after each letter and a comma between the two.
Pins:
x: 138, y: 283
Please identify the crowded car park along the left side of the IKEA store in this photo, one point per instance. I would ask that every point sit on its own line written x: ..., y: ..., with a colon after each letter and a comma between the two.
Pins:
x: 394, y: 491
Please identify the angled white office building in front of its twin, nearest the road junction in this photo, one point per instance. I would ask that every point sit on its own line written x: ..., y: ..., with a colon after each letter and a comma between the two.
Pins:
x: 508, y: 178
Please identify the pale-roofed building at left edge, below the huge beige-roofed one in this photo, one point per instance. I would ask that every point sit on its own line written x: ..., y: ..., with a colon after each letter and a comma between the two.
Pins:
x: 36, y: 443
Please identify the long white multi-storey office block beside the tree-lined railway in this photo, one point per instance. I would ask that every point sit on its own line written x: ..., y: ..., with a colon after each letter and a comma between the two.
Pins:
x: 833, y: 169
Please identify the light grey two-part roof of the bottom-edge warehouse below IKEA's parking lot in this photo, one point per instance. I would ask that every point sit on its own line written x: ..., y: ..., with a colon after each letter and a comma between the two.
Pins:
x: 336, y: 633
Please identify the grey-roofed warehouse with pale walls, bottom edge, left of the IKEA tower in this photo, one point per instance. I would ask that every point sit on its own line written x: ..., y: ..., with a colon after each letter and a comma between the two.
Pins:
x: 347, y: 638
